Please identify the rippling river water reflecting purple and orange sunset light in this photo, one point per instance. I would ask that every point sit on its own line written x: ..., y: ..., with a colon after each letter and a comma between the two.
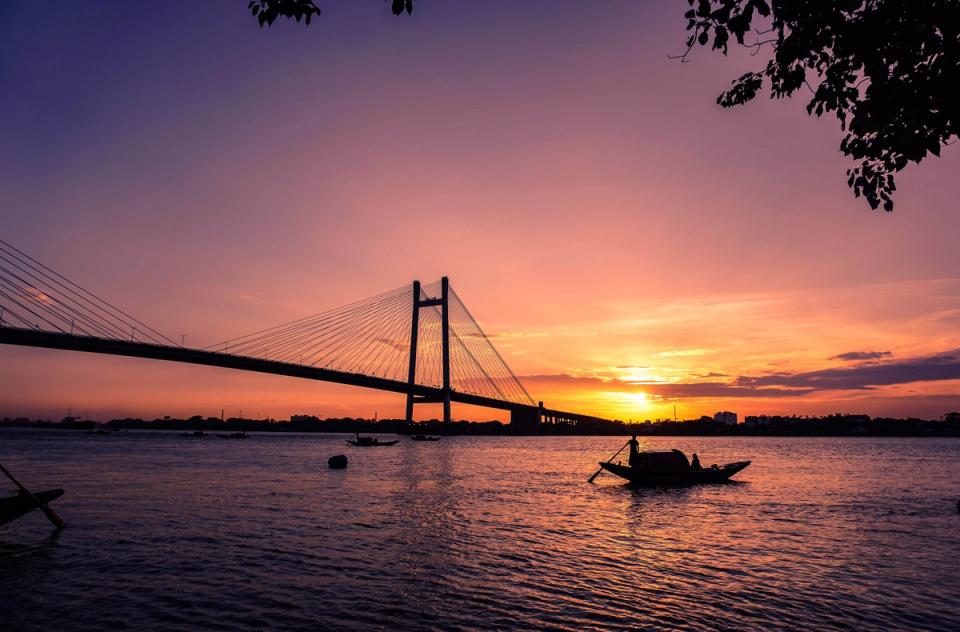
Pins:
x: 171, y: 533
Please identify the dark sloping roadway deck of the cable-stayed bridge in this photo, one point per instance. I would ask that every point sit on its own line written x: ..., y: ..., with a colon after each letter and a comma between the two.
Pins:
x: 521, y: 414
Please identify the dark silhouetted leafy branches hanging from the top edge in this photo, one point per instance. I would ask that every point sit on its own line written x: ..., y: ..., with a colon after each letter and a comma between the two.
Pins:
x: 889, y: 70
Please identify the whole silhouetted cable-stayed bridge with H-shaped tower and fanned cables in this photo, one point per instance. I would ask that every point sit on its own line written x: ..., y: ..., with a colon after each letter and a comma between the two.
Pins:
x: 419, y: 341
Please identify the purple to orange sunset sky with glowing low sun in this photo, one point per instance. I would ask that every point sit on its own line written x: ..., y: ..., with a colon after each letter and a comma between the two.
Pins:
x: 629, y: 246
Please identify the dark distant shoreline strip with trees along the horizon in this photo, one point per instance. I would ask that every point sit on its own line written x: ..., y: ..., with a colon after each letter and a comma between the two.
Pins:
x: 830, y: 426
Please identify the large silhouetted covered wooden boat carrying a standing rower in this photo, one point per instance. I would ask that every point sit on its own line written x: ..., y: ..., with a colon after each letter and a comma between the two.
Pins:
x: 671, y: 468
